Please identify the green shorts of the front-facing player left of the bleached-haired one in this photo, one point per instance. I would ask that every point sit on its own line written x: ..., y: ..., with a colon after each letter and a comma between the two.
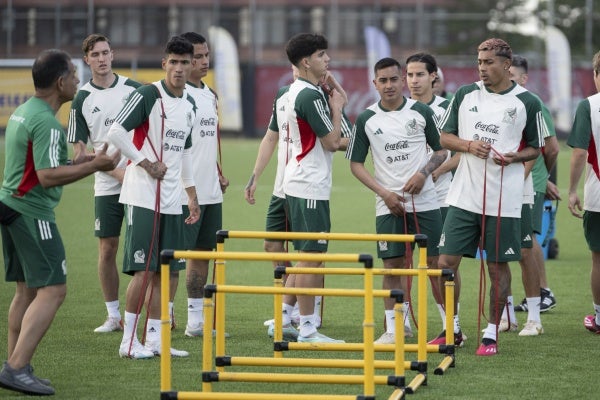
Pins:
x: 427, y: 222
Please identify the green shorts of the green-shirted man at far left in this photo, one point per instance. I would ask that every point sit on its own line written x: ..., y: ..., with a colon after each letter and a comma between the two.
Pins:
x: 33, y: 253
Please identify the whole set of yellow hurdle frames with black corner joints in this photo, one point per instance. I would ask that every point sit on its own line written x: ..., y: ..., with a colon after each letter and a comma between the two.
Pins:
x: 216, y: 309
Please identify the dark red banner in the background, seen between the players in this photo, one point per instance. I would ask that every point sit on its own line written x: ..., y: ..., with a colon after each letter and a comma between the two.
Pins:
x: 353, y: 80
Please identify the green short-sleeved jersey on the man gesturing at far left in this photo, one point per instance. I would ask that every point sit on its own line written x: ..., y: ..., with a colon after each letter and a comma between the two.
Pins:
x: 35, y: 140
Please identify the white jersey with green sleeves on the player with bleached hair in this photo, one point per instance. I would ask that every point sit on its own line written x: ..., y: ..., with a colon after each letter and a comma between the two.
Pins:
x: 508, y: 121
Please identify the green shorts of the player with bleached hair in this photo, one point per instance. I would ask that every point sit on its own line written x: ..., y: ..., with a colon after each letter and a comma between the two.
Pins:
x: 462, y: 231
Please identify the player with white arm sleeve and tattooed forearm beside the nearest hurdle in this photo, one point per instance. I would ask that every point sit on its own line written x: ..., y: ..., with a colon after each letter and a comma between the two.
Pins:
x: 162, y: 115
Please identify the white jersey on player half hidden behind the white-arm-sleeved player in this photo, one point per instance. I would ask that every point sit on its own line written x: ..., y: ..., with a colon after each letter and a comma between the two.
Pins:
x: 205, y: 147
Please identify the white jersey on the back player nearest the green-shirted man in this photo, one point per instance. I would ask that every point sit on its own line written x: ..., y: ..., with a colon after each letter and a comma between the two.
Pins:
x: 93, y: 111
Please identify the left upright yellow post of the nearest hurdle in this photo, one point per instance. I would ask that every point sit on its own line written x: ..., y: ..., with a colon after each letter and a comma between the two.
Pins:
x: 165, y: 332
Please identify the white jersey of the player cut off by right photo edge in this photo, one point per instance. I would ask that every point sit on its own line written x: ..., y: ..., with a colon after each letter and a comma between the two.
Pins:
x: 585, y: 134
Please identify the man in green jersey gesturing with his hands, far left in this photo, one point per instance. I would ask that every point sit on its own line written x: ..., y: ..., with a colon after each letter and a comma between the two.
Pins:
x: 35, y: 172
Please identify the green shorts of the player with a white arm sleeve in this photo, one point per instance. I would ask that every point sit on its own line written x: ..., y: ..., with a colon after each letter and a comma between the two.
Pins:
x: 144, y: 240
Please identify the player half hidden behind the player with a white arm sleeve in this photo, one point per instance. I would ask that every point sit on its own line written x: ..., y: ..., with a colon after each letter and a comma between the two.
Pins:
x: 209, y: 182
